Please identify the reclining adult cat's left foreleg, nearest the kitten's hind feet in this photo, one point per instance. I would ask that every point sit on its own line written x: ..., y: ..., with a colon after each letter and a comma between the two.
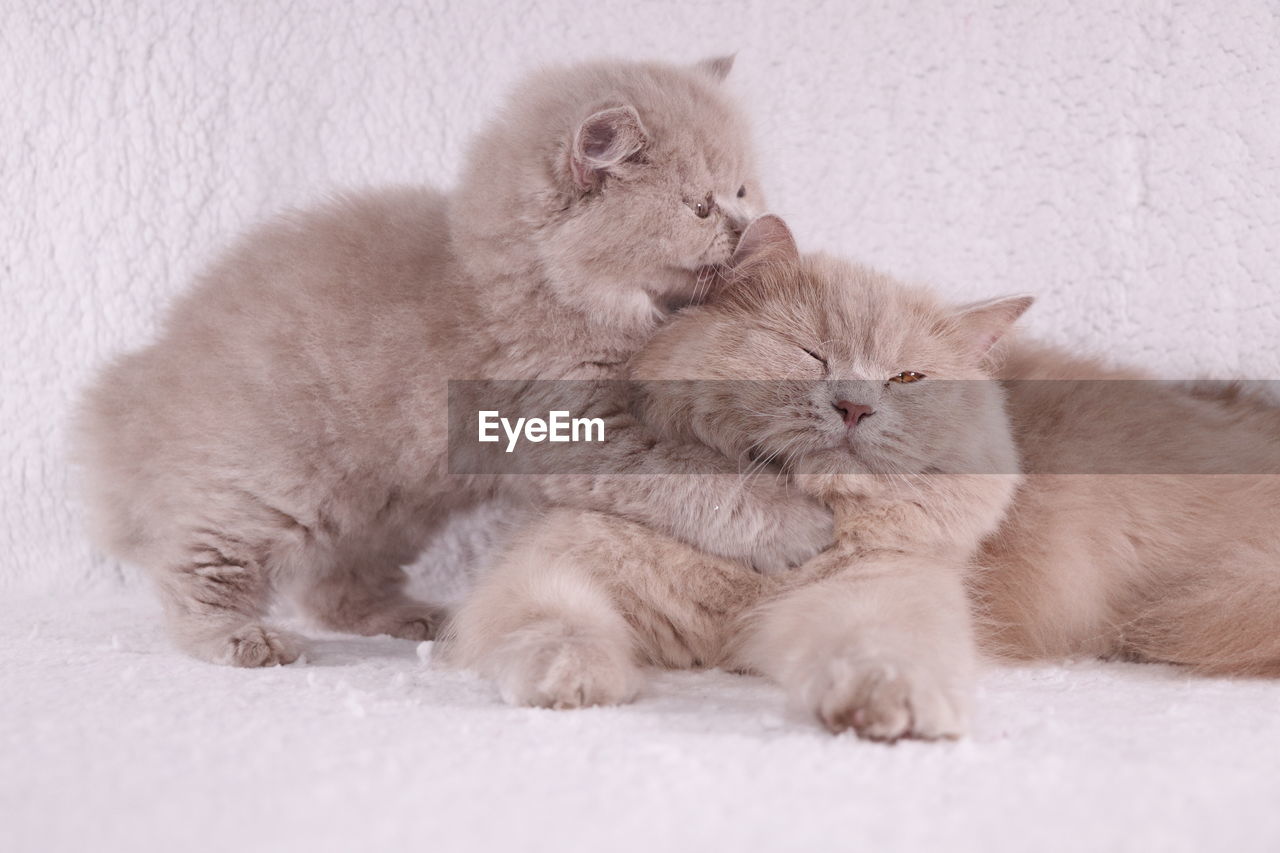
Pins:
x: 545, y: 627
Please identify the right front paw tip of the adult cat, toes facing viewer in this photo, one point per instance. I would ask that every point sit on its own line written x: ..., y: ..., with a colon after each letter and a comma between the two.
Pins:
x: 886, y: 700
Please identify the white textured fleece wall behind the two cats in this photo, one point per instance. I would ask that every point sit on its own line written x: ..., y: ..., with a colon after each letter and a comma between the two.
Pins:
x: 1123, y: 163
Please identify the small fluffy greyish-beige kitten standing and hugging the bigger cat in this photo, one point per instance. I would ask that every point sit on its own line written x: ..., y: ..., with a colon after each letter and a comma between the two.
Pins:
x: 286, y: 435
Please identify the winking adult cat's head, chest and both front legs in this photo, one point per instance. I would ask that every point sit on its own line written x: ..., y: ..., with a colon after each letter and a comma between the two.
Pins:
x: 872, y: 635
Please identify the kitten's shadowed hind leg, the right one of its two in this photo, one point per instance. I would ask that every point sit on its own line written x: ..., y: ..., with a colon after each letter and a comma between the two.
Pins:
x: 367, y: 596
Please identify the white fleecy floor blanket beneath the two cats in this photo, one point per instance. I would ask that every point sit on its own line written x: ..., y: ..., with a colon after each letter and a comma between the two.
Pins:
x: 365, y: 749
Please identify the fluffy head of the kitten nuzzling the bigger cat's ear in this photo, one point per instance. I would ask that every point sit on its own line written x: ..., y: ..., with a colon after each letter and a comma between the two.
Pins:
x: 633, y: 180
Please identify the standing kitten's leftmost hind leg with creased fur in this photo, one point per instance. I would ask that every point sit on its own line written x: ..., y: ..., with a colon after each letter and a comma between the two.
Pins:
x: 216, y: 596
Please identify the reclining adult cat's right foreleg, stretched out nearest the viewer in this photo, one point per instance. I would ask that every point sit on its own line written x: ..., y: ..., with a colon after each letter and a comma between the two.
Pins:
x: 883, y: 646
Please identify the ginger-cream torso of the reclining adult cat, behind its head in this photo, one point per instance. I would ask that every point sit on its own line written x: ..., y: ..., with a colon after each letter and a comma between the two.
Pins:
x: 1146, y: 527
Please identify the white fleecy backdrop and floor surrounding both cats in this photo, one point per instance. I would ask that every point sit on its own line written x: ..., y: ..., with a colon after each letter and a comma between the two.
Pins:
x: 1123, y: 163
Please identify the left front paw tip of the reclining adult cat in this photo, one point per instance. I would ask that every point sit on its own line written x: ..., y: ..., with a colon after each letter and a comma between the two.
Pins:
x: 561, y: 670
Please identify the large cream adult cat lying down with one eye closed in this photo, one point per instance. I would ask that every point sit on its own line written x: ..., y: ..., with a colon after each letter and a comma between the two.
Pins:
x: 962, y: 530
